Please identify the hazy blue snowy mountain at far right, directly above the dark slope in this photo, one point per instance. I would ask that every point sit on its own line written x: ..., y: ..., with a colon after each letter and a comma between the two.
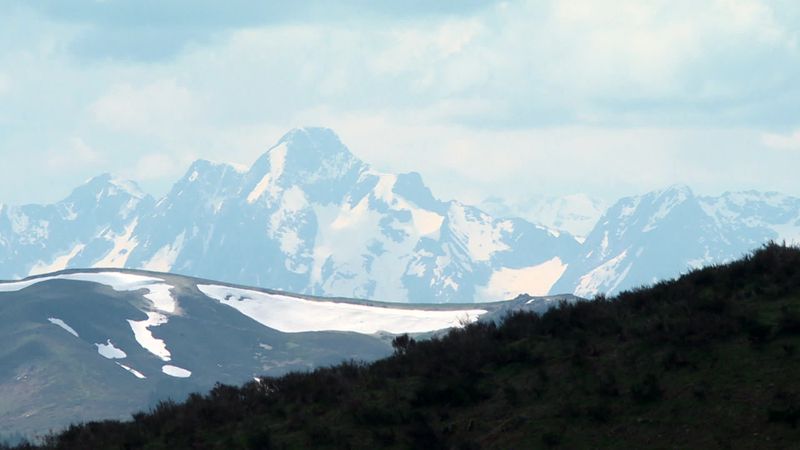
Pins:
x: 662, y: 234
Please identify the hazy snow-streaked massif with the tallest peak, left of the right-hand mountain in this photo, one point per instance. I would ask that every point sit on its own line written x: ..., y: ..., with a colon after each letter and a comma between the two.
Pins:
x: 307, y: 217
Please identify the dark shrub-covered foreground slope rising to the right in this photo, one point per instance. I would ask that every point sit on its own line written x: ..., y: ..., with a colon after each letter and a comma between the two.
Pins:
x: 710, y: 360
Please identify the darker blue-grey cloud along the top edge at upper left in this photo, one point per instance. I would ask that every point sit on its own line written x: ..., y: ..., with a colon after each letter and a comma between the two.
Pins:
x: 152, y: 30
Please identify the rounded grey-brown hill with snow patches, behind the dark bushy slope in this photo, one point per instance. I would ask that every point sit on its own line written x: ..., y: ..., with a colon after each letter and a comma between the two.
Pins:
x: 103, y: 344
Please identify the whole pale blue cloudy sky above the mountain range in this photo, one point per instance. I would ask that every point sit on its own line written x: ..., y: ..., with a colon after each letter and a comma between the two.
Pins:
x: 505, y: 99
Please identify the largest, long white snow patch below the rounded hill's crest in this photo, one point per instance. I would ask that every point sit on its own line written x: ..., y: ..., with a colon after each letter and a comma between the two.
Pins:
x: 296, y: 315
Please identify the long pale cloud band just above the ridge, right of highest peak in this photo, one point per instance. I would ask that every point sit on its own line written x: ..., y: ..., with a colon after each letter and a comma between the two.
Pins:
x: 467, y: 163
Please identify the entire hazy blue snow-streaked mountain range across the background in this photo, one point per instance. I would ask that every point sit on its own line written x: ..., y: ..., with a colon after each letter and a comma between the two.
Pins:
x: 310, y: 217
